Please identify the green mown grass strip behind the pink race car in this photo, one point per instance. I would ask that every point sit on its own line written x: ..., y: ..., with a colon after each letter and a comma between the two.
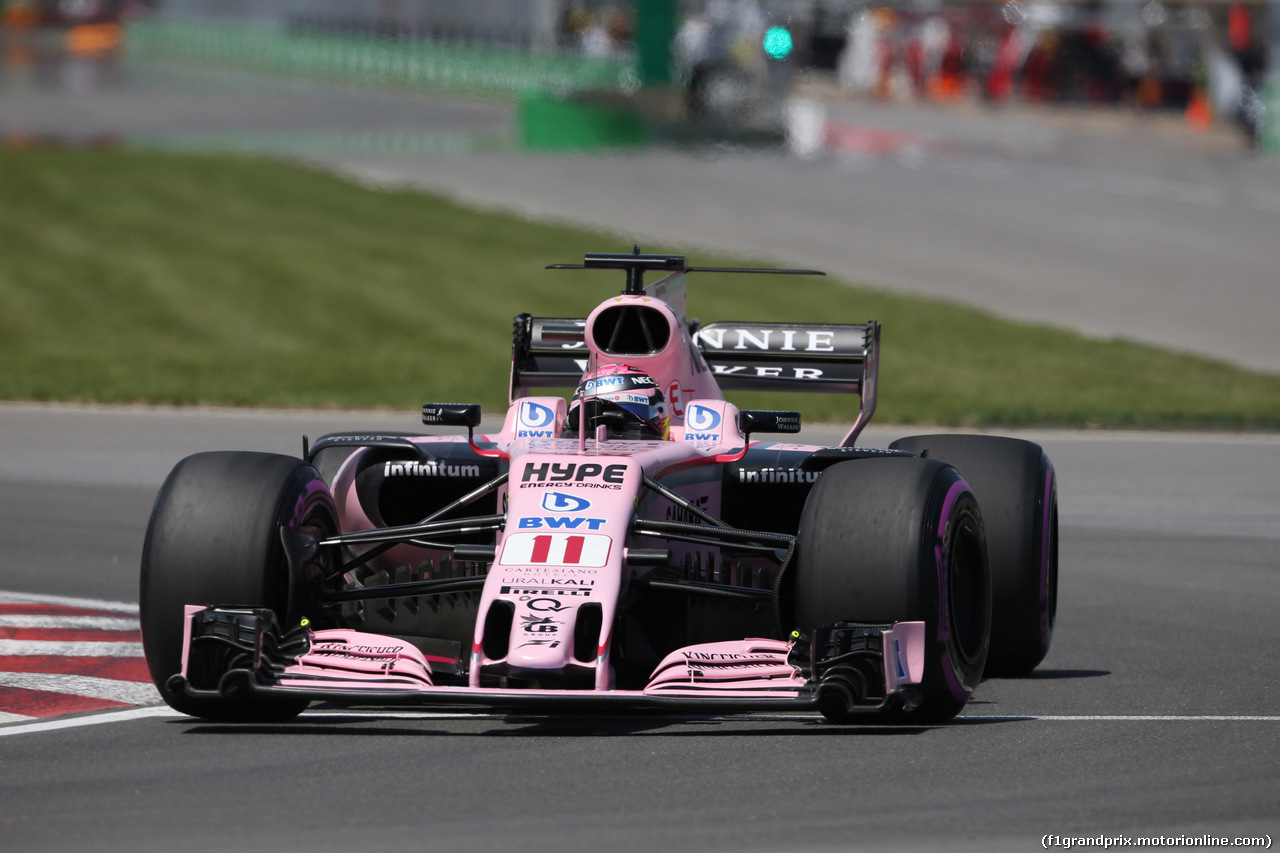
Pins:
x: 131, y: 277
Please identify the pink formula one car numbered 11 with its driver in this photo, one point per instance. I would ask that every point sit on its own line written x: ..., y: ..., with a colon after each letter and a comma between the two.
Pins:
x: 634, y: 546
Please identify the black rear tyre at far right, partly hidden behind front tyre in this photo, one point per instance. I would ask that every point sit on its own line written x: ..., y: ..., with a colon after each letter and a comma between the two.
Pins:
x: 1018, y: 492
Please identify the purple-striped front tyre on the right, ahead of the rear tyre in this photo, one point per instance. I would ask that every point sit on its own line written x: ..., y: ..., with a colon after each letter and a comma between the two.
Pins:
x: 900, y: 540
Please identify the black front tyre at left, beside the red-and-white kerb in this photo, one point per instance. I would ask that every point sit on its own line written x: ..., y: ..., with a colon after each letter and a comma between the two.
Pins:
x: 214, y: 539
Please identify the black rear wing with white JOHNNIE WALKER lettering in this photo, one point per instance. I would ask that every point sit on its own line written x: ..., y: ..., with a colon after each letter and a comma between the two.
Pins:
x: 551, y: 353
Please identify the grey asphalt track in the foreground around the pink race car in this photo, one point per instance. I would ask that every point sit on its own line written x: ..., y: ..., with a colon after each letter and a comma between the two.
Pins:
x: 1155, y: 714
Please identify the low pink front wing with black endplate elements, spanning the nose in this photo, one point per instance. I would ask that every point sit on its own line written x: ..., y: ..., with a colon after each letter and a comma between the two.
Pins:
x: 232, y: 651
